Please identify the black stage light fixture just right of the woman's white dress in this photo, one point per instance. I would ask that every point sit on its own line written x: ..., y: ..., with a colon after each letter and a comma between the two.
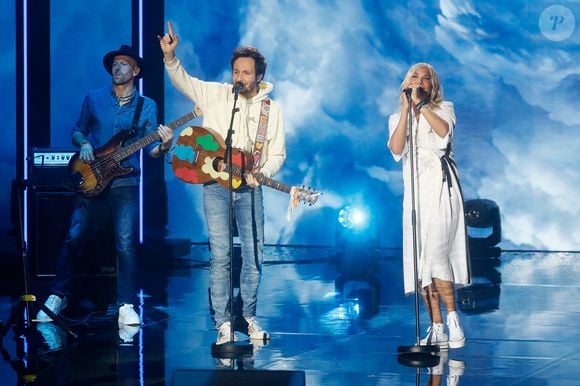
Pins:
x: 483, y: 222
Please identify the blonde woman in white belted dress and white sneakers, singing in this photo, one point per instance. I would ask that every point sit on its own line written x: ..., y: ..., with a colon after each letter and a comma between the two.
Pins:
x: 442, y: 254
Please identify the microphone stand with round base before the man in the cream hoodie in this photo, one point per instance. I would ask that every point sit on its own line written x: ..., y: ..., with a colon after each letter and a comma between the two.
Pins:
x: 231, y: 349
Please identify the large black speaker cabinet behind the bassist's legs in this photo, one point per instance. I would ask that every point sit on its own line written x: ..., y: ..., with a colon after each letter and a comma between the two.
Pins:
x: 49, y: 220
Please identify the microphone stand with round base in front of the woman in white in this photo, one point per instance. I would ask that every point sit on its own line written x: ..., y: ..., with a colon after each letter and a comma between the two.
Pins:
x: 417, y: 355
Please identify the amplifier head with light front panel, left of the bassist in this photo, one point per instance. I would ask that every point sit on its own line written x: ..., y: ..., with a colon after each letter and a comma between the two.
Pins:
x: 48, y: 168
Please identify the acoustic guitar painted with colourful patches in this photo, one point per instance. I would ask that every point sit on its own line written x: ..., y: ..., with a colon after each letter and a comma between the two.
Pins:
x: 198, y: 158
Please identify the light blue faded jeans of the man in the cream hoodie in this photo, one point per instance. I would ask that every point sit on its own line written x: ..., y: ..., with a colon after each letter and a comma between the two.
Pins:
x: 249, y: 216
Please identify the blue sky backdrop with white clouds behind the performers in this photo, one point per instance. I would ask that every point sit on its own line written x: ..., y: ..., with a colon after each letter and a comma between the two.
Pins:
x: 510, y: 68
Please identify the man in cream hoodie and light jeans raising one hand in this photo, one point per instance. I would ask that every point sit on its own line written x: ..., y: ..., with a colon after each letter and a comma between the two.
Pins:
x: 258, y: 130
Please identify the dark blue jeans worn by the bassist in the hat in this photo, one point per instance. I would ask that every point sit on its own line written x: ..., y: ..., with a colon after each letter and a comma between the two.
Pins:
x: 88, y: 213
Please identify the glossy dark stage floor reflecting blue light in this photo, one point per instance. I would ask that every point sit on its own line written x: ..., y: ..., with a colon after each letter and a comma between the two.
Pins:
x: 520, y: 319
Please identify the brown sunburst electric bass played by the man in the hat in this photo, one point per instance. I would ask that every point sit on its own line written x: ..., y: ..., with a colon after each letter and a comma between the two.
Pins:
x: 91, y: 178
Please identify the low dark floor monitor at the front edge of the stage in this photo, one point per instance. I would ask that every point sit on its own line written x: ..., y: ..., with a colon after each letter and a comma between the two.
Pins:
x: 188, y: 377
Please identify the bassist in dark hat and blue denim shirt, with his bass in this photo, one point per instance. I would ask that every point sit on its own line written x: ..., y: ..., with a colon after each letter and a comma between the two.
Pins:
x: 107, y: 177
